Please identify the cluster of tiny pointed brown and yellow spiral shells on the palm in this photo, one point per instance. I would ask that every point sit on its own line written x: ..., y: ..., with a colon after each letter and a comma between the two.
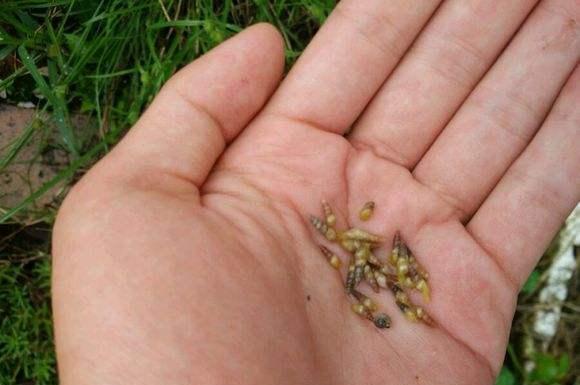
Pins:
x: 401, y: 270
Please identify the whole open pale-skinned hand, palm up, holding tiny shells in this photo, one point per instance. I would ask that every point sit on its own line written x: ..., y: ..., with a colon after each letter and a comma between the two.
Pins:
x: 185, y: 256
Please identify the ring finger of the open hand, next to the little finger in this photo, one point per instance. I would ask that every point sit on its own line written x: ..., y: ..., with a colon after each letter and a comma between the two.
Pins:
x: 503, y: 113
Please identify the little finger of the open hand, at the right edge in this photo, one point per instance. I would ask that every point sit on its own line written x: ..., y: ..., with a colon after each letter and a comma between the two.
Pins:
x: 526, y: 209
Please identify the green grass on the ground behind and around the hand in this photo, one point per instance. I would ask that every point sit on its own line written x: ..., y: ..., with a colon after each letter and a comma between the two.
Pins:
x: 106, y: 60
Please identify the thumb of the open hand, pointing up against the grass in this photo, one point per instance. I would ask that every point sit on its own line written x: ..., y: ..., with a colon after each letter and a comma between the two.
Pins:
x: 202, y: 107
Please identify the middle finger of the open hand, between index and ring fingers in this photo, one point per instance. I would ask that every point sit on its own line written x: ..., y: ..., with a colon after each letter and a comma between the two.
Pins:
x: 449, y: 57
